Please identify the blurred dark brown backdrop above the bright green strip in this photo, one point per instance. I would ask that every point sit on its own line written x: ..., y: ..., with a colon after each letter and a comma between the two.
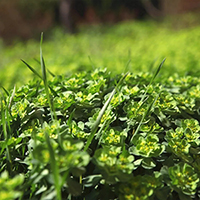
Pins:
x: 25, y: 19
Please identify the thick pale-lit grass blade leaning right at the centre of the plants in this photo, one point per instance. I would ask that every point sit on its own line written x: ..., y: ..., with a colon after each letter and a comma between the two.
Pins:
x: 101, y: 113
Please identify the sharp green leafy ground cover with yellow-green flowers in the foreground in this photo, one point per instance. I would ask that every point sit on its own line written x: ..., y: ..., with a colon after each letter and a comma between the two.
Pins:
x: 97, y: 136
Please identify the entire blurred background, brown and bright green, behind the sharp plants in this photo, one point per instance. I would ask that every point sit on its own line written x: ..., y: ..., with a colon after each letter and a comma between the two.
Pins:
x: 81, y: 34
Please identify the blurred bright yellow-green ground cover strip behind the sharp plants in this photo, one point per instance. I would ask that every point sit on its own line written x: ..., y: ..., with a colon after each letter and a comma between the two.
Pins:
x: 144, y: 42
